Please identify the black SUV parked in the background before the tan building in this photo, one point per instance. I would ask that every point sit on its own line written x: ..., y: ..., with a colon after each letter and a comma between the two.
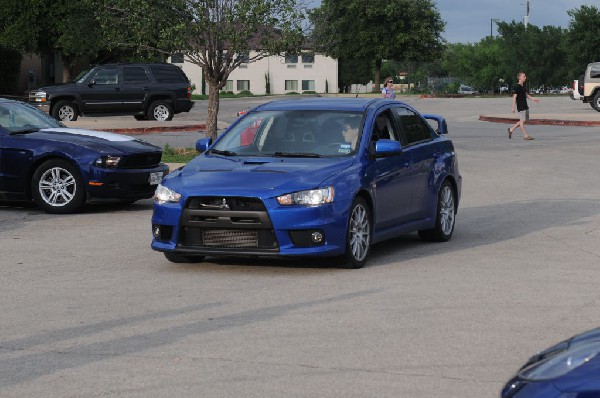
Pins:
x: 146, y: 91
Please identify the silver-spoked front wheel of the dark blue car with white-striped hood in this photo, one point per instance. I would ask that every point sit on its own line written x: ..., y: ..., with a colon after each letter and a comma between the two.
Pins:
x: 57, y: 187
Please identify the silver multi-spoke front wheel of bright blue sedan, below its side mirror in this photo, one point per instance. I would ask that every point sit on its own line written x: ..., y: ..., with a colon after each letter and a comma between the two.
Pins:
x: 358, y: 235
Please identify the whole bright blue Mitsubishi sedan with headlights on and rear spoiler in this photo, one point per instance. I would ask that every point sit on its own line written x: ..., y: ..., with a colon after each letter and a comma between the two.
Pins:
x: 315, y: 177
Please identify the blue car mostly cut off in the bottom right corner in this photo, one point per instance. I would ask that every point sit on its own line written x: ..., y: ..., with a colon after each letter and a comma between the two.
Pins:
x: 569, y: 369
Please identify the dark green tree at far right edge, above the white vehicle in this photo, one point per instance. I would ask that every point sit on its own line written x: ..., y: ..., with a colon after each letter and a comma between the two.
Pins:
x: 583, y: 38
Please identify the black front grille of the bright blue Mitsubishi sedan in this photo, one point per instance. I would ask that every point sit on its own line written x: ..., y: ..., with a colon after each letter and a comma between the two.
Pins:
x: 226, y: 223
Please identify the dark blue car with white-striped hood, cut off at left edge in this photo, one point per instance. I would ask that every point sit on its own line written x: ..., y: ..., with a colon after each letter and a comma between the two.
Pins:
x: 61, y: 168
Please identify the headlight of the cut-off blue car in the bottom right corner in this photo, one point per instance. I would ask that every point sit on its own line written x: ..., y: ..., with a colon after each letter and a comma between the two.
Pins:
x: 562, y: 363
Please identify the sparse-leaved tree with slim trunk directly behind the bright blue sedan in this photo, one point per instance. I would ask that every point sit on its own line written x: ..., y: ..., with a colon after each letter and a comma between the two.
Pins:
x: 217, y: 35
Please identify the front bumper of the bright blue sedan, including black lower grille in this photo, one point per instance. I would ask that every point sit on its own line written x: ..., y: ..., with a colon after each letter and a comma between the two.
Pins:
x: 280, y: 231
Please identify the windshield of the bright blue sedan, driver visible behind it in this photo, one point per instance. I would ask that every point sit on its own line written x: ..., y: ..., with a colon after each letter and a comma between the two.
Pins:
x: 293, y: 134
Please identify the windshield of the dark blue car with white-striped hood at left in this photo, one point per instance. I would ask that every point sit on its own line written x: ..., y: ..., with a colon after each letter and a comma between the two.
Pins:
x: 17, y: 117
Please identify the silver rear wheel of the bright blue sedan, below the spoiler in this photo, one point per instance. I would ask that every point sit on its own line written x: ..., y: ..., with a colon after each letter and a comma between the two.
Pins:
x: 445, y: 216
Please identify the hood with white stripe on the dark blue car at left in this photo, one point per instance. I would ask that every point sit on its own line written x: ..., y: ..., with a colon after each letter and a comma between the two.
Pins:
x: 97, y: 140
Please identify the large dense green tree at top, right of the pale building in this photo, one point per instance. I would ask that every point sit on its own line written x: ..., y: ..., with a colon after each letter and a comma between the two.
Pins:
x: 378, y: 30
